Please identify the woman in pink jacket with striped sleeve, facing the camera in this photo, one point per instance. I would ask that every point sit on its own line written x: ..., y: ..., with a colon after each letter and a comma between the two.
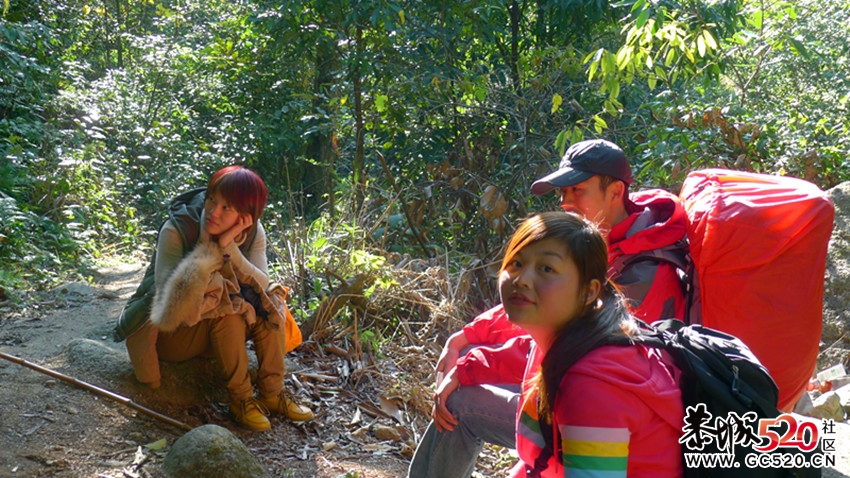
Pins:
x: 586, y: 409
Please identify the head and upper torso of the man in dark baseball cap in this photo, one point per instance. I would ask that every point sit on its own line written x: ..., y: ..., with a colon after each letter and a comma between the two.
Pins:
x: 593, y: 179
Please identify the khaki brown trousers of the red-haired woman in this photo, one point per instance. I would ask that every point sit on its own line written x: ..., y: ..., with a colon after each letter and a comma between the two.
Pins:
x: 225, y: 338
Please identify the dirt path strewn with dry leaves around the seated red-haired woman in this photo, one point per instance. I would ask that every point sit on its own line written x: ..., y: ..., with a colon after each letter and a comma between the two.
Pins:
x: 368, y: 413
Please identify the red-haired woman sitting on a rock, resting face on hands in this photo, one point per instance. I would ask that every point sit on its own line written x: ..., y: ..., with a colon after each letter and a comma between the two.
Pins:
x: 211, y: 294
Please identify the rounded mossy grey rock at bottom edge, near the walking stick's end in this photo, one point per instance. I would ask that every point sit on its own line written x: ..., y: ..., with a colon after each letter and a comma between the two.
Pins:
x: 211, y: 450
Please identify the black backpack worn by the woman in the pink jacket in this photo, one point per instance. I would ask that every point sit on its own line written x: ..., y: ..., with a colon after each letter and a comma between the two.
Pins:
x: 725, y: 391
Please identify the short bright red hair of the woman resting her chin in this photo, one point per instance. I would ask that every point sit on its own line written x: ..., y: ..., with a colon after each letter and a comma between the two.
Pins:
x: 241, y: 188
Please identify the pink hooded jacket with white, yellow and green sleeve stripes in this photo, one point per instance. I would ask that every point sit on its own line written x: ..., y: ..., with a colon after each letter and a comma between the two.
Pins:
x: 617, y: 413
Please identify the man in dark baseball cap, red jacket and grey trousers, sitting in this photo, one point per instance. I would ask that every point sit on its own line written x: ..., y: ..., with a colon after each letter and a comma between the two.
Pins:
x: 593, y: 179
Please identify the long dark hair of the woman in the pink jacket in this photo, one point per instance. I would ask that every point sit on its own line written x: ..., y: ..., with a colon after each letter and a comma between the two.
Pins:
x: 606, y: 316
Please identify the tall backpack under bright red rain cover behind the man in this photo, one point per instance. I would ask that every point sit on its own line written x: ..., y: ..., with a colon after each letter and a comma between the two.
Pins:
x: 759, y: 246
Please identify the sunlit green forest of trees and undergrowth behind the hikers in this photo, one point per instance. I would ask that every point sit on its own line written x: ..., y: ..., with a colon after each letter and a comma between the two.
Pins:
x: 390, y: 133
